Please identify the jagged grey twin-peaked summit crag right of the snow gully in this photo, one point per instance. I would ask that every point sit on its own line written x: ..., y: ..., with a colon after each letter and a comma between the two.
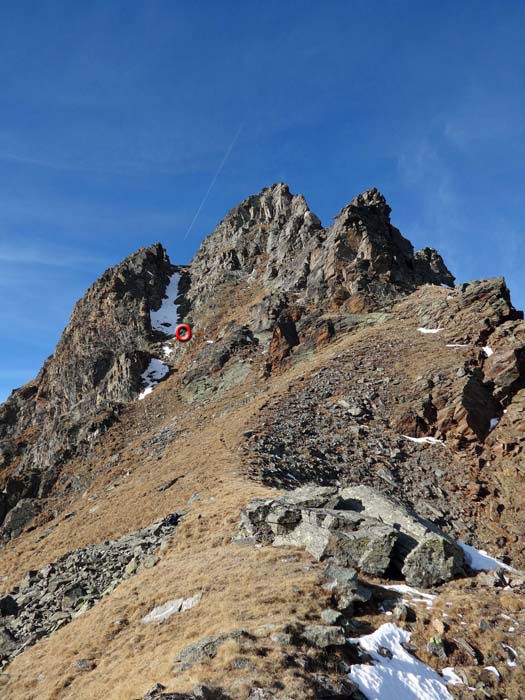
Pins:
x: 275, y: 240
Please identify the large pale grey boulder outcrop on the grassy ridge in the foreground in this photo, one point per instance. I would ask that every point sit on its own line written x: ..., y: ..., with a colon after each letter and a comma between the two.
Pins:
x: 355, y: 527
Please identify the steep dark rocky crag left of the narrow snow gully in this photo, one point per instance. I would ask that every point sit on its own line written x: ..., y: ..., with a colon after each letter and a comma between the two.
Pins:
x: 95, y: 369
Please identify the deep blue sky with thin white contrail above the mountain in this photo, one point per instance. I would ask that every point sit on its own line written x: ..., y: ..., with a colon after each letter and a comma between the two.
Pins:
x: 115, y: 118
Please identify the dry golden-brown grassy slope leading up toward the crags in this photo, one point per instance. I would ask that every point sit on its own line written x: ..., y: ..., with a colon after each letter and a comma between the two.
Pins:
x: 243, y: 587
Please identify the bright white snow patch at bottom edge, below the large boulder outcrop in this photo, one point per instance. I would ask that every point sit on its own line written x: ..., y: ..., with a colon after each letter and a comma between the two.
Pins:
x: 403, y: 677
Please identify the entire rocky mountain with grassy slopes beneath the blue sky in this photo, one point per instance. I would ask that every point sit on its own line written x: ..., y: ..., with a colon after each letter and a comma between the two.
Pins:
x: 340, y: 444
